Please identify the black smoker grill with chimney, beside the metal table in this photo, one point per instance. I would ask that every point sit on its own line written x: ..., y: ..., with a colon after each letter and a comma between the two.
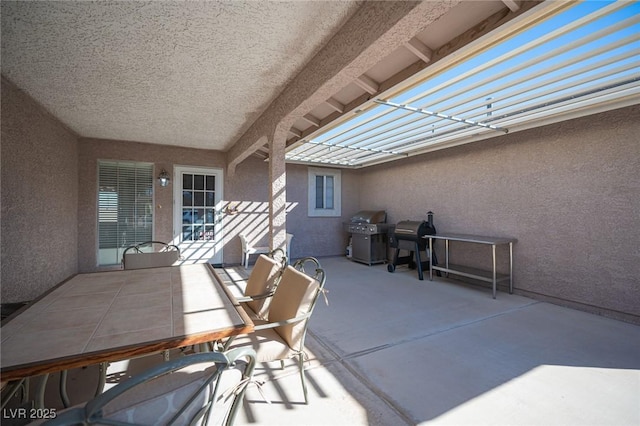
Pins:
x: 409, y: 235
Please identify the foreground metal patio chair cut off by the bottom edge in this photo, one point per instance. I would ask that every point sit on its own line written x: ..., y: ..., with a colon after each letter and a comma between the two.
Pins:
x: 206, y: 388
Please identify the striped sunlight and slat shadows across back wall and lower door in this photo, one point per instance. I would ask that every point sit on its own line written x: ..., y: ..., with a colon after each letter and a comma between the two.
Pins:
x: 250, y: 218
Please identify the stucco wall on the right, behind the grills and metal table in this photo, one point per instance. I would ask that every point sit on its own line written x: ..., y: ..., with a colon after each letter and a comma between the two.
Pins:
x: 569, y: 192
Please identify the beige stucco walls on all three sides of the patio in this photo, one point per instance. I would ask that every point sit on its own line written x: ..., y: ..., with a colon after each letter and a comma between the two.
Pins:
x: 569, y: 192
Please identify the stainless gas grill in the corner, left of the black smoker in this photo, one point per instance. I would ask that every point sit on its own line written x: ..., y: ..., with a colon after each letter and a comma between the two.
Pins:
x: 368, y: 229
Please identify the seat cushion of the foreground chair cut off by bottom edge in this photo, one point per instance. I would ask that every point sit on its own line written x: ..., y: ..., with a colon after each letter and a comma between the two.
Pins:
x: 156, y: 401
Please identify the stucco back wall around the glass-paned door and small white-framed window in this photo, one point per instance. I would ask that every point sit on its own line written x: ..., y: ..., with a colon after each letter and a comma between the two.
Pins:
x: 246, y: 192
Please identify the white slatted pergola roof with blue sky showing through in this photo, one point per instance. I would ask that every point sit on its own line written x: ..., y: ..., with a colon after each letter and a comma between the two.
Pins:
x: 575, y: 59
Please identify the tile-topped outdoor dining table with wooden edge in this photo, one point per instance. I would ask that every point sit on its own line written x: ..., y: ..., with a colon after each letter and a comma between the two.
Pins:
x: 98, y: 317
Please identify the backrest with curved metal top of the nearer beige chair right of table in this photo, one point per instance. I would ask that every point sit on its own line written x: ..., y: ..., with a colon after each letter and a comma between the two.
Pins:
x: 296, y: 296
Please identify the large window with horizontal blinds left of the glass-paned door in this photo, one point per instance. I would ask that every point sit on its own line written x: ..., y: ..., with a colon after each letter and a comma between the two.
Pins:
x: 125, y: 208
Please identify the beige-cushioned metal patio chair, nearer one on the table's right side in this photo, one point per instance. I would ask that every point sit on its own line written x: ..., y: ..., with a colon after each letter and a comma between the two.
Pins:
x: 282, y: 336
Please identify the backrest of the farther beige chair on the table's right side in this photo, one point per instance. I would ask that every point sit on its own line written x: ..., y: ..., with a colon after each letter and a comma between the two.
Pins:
x: 263, y: 280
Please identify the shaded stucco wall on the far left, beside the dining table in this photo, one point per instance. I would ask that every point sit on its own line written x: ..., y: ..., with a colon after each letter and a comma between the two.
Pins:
x: 39, y: 198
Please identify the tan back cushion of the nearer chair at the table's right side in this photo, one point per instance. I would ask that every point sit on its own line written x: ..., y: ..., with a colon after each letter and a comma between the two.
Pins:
x: 294, y: 297
